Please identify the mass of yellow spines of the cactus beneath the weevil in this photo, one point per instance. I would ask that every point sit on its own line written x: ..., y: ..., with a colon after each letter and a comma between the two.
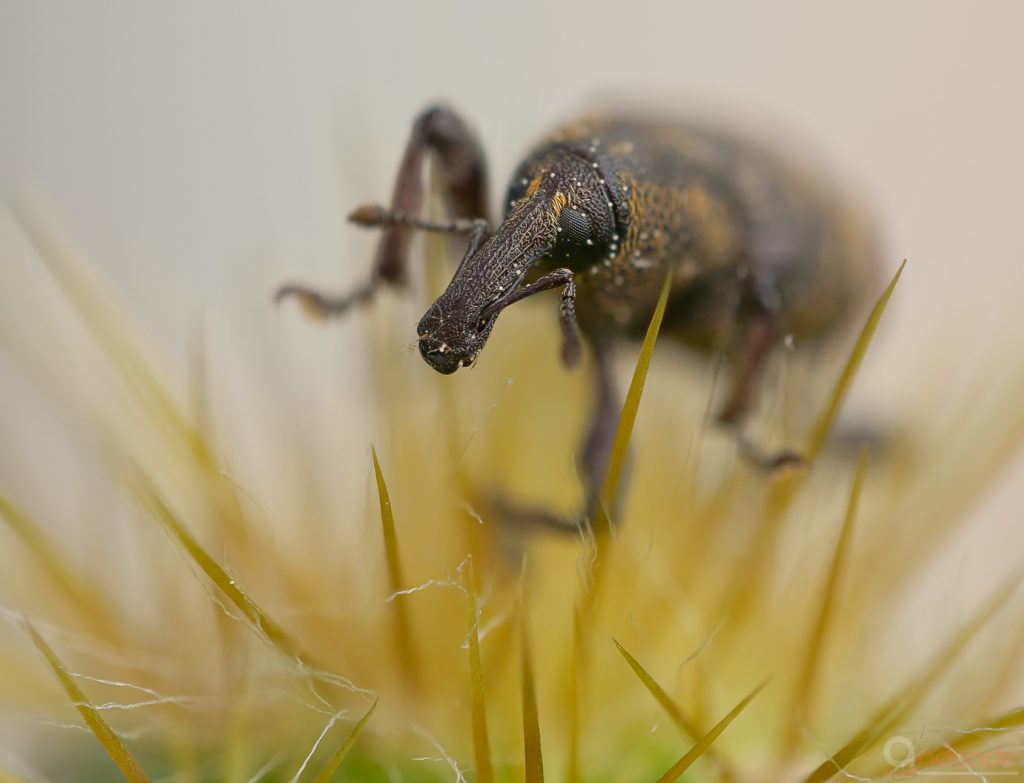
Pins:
x: 727, y: 627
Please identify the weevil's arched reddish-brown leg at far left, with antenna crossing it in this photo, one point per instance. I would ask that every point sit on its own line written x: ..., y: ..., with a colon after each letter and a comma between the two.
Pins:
x: 441, y: 132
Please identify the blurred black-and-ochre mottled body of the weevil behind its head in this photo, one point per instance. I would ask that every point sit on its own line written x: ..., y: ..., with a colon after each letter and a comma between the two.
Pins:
x: 743, y: 233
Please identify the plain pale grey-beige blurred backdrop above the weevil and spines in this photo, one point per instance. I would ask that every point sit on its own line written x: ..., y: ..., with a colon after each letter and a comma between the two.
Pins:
x: 203, y: 153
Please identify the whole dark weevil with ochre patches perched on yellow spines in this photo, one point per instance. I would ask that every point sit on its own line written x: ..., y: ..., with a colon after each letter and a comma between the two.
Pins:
x: 605, y: 209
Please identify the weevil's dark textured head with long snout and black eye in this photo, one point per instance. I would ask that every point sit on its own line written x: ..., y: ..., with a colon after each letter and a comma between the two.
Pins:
x: 565, y: 204
